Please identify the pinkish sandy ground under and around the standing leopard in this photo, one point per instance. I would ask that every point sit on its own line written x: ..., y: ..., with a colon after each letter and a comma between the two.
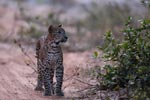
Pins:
x: 17, y: 80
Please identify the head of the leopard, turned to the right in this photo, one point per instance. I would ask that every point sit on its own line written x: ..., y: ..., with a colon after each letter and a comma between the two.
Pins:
x: 58, y: 33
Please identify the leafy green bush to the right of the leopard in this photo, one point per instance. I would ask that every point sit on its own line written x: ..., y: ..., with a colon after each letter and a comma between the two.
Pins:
x: 130, y: 61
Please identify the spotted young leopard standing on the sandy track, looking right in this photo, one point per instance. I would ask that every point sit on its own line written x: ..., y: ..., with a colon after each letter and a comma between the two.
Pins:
x: 50, y: 61
